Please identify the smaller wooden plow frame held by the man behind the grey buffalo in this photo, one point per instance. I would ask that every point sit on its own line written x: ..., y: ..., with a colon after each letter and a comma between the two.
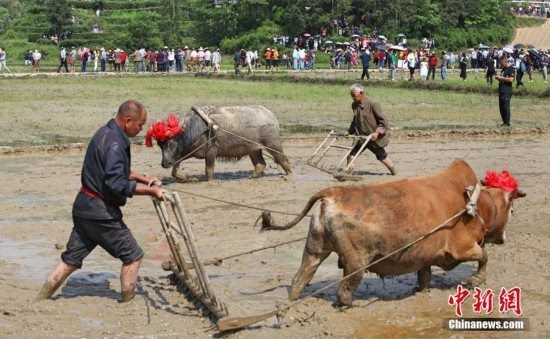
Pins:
x: 339, y: 171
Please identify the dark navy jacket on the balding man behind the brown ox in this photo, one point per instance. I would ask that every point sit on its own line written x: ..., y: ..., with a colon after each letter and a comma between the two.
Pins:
x: 106, y: 172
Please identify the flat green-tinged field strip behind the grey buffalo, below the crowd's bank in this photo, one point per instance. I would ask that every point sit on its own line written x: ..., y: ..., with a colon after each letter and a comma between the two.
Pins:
x: 56, y: 110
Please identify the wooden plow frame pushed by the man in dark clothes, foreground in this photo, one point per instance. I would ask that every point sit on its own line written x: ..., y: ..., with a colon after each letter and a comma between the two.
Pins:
x: 191, y: 276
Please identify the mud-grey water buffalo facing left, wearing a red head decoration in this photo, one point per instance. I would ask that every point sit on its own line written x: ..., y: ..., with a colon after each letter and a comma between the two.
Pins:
x: 255, y: 123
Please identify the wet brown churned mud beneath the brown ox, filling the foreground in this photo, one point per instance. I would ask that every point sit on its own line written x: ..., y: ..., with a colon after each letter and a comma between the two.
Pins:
x: 38, y: 191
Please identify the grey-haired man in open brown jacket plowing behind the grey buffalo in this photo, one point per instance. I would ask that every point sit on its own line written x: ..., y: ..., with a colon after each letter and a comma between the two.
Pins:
x: 368, y: 119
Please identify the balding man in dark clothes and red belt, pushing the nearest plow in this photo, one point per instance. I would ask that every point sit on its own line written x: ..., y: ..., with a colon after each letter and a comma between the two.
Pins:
x: 107, y: 183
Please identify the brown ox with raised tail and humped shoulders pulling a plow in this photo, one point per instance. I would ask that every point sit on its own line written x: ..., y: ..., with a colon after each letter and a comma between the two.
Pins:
x: 364, y: 223
